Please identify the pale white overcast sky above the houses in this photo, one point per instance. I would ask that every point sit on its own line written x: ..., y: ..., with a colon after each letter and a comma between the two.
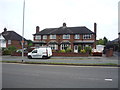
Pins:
x: 52, y: 14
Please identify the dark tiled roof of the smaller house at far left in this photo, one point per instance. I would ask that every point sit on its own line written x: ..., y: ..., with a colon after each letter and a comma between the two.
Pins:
x: 11, y: 35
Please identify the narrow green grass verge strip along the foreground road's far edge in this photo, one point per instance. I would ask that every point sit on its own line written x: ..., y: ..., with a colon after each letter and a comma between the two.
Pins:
x: 57, y: 63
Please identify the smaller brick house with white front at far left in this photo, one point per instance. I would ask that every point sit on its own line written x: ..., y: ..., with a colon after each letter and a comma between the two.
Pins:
x: 11, y: 38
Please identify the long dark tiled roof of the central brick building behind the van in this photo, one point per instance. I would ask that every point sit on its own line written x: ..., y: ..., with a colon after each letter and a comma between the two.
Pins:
x: 65, y: 30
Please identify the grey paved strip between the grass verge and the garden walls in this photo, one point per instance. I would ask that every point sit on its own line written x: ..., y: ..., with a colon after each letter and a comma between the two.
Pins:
x: 75, y: 60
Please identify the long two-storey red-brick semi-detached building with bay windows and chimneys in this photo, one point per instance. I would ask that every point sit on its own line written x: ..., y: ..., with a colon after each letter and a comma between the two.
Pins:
x: 63, y: 37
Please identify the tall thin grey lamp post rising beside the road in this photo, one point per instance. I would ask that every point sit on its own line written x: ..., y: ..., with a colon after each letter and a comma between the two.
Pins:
x: 23, y: 31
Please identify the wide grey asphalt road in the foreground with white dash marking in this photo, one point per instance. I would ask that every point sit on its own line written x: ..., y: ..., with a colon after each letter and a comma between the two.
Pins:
x: 57, y: 76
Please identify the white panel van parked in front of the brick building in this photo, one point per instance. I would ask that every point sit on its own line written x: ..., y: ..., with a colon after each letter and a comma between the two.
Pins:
x: 41, y: 52
